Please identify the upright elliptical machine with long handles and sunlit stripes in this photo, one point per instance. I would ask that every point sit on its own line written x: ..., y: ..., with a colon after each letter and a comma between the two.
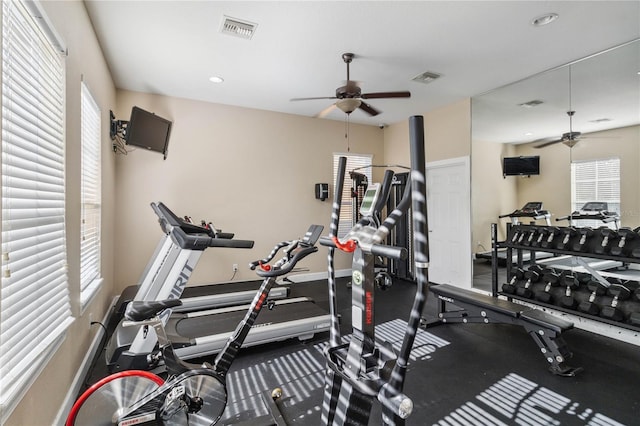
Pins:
x: 365, y: 368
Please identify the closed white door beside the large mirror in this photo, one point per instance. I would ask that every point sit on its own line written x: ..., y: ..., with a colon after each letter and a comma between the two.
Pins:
x: 449, y: 219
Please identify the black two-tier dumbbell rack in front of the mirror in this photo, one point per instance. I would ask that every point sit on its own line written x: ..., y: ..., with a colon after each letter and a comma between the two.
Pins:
x: 567, y: 239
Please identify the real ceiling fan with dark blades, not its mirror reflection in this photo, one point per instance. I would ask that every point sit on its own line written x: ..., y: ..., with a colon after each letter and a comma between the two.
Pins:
x: 349, y: 97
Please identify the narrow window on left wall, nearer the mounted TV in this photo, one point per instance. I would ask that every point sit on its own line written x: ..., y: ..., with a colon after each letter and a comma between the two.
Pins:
x: 90, y: 277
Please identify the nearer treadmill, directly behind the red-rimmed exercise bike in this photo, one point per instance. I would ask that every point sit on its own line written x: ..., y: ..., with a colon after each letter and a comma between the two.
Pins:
x: 201, y: 333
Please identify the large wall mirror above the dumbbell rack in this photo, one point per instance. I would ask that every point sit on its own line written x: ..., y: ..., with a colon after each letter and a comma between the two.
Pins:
x: 530, y: 117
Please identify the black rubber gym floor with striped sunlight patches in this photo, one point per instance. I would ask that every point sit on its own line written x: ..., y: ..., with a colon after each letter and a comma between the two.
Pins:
x: 460, y: 374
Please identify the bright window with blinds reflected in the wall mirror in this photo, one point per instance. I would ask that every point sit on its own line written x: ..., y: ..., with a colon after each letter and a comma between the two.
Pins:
x: 595, y: 180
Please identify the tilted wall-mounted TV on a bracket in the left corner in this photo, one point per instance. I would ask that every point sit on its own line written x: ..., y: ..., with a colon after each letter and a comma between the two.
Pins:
x: 149, y: 131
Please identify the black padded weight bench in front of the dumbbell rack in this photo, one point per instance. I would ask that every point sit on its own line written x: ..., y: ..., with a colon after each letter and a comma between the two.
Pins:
x: 545, y: 329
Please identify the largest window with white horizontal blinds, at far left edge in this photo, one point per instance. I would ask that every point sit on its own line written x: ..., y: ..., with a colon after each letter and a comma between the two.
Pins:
x: 34, y: 296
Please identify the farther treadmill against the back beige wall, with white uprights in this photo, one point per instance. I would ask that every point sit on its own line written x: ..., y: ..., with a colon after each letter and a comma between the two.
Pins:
x: 170, y: 261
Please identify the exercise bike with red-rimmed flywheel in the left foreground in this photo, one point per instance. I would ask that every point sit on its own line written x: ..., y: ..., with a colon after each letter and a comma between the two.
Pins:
x: 192, y: 394
